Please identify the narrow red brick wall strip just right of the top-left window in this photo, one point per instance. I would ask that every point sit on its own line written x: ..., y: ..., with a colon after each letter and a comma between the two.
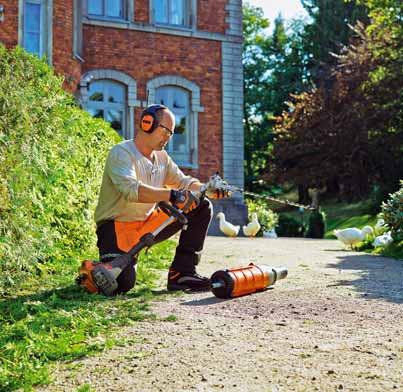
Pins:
x: 63, y: 60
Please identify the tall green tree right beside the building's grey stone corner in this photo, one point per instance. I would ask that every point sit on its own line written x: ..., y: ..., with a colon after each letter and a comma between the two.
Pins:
x: 272, y: 69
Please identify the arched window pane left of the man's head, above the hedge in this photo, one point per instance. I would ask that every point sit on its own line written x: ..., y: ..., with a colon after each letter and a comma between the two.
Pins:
x: 107, y: 100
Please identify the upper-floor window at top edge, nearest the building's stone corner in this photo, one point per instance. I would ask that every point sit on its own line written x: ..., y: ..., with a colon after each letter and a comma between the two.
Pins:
x: 173, y: 12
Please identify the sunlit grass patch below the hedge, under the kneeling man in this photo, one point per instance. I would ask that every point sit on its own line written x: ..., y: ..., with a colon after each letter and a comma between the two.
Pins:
x: 51, y: 319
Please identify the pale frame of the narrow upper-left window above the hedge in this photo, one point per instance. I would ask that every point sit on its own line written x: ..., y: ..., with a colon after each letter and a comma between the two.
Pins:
x: 46, y: 26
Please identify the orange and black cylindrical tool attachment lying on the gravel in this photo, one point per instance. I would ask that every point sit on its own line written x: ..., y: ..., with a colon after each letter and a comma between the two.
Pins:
x: 236, y: 282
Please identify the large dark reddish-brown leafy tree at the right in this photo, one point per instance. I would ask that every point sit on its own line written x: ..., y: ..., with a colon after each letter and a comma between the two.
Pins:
x: 349, y: 135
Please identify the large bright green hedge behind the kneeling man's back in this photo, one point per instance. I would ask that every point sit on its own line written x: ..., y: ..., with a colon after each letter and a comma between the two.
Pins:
x: 51, y: 161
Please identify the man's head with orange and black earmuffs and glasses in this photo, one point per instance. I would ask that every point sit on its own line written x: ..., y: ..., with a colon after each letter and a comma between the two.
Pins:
x: 157, y: 124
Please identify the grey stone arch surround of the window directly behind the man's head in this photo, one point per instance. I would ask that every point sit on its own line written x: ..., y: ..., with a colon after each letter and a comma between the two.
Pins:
x: 194, y: 109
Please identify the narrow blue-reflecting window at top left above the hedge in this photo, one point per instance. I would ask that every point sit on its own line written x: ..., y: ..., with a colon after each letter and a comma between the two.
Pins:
x: 36, y: 27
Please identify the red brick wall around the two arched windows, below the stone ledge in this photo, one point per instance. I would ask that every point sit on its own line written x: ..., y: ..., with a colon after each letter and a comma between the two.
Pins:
x: 145, y: 56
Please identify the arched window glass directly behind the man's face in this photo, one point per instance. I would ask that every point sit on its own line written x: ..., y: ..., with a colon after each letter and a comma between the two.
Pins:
x: 177, y: 99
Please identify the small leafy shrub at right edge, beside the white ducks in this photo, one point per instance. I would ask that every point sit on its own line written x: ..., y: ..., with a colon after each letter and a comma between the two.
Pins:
x: 392, y: 213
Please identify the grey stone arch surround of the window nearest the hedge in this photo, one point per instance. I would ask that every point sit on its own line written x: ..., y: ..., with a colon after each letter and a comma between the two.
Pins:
x: 114, y: 76
